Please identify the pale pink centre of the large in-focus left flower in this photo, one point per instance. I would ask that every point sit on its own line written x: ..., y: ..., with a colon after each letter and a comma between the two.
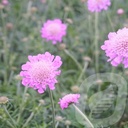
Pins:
x: 40, y: 71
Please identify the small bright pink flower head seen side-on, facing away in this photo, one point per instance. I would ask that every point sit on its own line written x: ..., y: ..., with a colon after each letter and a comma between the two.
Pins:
x: 68, y: 99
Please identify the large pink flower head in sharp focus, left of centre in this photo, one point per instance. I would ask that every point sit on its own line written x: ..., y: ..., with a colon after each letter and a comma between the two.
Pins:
x: 41, y: 70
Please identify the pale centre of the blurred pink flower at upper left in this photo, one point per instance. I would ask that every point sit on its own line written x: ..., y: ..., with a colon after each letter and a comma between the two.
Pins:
x: 53, y: 29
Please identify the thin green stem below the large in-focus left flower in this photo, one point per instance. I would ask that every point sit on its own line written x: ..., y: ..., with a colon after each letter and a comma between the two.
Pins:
x: 52, y: 103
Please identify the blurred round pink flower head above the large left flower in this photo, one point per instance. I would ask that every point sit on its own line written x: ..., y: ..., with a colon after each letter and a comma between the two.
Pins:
x: 53, y: 30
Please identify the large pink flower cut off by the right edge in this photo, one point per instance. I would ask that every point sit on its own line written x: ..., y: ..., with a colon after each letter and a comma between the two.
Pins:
x: 116, y: 47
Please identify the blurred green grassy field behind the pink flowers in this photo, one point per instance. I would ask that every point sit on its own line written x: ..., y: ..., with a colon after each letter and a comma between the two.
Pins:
x: 80, y: 50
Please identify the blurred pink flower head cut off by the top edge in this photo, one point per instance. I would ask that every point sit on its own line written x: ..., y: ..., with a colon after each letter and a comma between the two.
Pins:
x: 98, y: 5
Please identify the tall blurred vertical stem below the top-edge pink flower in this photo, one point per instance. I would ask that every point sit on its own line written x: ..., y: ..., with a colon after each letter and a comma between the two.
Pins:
x: 96, y: 43
